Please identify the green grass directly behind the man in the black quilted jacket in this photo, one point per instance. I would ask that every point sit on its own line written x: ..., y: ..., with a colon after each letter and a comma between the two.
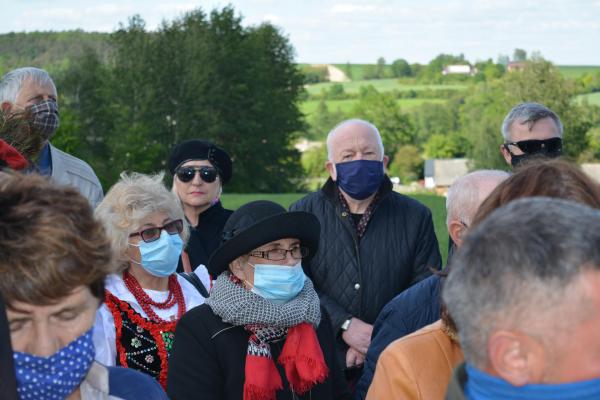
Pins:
x: 437, y: 205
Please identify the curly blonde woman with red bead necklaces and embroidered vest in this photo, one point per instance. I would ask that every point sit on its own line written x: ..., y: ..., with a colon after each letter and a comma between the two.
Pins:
x: 146, y: 299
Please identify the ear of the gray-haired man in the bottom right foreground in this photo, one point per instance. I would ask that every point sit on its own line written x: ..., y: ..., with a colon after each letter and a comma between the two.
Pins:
x: 516, y: 357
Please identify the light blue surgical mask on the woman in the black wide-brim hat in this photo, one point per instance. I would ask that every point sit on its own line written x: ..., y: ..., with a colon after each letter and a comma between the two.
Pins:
x: 278, y: 283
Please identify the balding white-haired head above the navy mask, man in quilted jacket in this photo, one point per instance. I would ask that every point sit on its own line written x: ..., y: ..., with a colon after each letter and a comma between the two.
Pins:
x: 354, y: 139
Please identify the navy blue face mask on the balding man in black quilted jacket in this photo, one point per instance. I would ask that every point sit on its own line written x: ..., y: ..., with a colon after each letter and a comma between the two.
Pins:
x: 360, y: 178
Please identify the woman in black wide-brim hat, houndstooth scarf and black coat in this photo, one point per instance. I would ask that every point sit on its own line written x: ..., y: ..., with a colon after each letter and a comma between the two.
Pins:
x: 262, y: 333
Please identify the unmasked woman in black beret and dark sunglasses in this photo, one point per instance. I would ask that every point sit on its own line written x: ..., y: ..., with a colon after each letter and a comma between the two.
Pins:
x: 200, y: 169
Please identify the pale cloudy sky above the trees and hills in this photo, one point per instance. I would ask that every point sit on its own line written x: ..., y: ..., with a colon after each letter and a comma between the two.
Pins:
x: 566, y: 32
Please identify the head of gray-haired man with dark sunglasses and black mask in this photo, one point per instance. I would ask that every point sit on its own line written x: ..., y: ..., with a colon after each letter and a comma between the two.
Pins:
x: 531, y: 130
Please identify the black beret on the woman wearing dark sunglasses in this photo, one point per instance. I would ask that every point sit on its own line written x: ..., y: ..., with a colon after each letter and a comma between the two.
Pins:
x: 196, y: 149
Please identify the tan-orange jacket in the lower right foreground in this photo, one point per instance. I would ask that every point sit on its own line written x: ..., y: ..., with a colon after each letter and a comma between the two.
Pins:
x: 417, y: 366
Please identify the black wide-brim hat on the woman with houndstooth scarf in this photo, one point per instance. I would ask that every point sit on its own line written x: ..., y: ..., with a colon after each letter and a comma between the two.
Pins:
x: 258, y: 223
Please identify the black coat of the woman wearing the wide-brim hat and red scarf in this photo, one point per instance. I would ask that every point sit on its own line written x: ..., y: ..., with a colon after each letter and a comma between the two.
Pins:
x: 209, y: 356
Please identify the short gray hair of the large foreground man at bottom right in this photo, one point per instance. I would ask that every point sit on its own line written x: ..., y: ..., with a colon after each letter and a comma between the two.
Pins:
x: 517, y: 269
